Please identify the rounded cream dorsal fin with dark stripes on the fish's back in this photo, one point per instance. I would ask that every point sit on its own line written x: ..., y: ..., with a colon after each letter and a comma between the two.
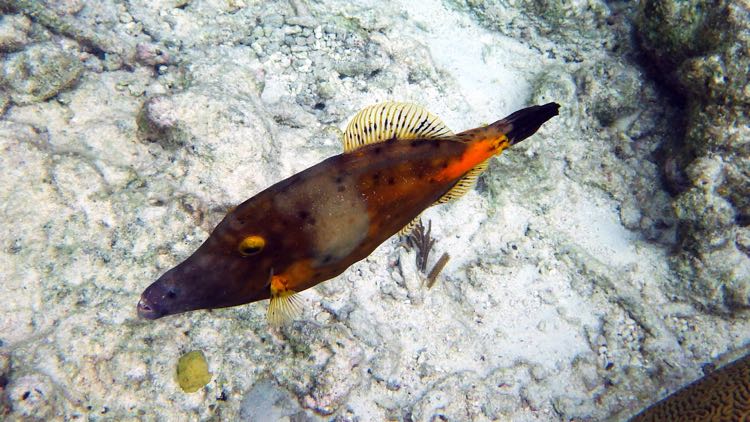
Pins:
x: 384, y: 121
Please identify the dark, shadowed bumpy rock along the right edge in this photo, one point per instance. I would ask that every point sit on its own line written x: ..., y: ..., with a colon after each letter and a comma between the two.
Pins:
x: 703, y: 50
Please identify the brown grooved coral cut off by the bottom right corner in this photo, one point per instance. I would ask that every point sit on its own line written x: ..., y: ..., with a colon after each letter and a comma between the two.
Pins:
x: 722, y: 395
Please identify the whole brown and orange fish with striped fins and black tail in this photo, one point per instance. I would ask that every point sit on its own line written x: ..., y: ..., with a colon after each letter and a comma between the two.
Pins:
x: 398, y: 160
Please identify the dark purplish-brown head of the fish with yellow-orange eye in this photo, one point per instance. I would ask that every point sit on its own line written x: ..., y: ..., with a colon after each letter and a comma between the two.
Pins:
x: 232, y: 267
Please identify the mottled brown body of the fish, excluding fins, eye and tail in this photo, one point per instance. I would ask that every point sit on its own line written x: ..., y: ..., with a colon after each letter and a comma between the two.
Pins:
x: 316, y: 223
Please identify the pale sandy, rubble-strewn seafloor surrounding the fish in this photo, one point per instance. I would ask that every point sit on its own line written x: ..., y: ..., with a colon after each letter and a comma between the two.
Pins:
x: 129, y: 128
